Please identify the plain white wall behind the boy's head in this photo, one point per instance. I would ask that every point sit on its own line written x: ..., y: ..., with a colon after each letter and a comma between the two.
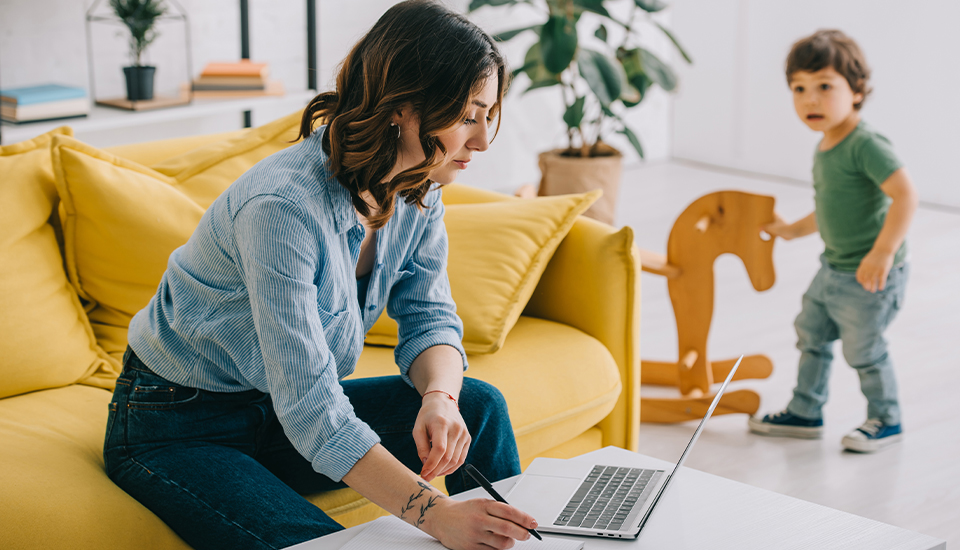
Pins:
x: 735, y: 110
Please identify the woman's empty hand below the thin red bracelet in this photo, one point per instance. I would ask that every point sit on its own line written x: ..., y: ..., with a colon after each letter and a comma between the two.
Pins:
x: 441, y: 436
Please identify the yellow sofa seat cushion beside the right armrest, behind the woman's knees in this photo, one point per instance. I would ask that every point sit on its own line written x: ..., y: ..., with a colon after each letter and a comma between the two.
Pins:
x: 558, y: 380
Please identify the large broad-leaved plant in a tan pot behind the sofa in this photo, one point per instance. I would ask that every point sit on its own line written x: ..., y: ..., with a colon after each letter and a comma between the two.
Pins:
x: 598, y: 86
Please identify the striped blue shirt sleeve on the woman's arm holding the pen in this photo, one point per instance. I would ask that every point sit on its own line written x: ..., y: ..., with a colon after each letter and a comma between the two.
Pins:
x: 279, y: 258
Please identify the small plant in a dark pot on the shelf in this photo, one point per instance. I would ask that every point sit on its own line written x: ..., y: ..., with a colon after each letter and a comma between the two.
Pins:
x: 139, y: 16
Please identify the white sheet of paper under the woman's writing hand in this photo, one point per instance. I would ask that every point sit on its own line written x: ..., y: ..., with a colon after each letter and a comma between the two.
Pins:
x: 393, y: 533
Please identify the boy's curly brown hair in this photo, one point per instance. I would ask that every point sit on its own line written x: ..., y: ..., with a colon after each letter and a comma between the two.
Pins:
x: 831, y: 48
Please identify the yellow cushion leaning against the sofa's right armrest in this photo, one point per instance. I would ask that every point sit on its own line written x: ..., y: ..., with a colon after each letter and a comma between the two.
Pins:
x: 498, y: 251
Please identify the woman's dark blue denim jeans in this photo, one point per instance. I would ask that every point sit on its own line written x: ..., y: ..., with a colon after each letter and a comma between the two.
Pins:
x: 218, y: 469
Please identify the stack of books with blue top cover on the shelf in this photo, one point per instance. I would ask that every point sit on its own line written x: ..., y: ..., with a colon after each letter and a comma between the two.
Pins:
x: 44, y: 102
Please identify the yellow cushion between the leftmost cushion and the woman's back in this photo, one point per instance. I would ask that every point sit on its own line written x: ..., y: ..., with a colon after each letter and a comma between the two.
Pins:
x: 120, y: 221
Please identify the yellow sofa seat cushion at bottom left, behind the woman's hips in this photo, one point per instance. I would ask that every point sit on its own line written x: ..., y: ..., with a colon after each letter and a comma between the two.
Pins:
x: 53, y: 490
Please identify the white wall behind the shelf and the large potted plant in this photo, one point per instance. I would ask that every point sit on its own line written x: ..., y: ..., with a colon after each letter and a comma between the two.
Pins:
x: 44, y: 41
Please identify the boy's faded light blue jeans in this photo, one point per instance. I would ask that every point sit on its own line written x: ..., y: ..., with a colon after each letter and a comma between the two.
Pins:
x: 837, y: 307
